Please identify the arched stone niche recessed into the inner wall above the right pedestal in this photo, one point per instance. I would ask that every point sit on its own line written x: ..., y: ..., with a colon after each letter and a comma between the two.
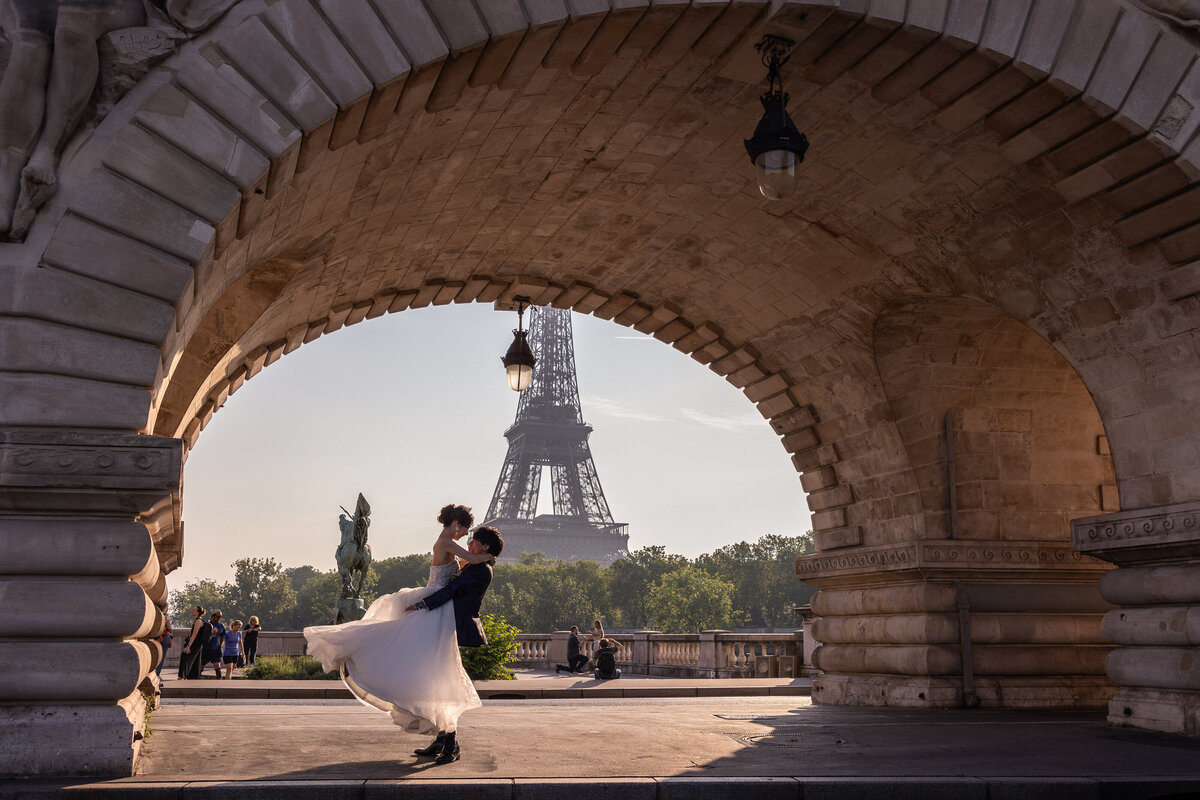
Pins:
x: 968, y: 384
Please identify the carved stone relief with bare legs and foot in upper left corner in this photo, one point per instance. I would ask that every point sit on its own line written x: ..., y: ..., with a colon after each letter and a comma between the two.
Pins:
x: 65, y: 63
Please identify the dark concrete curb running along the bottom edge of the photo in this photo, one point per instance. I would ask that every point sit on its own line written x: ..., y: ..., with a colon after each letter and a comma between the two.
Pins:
x: 629, y: 789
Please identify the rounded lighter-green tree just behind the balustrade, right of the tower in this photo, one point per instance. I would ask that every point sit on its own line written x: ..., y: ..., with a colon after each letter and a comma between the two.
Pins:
x: 691, y: 600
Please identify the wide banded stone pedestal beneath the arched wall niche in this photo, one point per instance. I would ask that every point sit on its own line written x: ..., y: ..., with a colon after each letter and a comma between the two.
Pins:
x: 958, y: 623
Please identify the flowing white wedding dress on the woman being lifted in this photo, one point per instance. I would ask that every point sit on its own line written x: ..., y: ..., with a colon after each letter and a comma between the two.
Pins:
x: 406, y: 665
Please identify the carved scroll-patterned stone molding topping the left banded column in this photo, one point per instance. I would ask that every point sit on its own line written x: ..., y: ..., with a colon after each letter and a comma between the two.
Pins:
x: 77, y: 472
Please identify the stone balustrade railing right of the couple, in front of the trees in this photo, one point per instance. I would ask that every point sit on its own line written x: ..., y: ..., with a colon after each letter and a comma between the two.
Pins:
x: 711, y: 654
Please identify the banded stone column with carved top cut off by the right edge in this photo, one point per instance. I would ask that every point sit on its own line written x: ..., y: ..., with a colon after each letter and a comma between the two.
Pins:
x: 1157, y: 588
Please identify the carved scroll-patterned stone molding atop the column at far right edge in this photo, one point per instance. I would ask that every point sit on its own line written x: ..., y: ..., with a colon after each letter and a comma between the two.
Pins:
x: 1139, y: 536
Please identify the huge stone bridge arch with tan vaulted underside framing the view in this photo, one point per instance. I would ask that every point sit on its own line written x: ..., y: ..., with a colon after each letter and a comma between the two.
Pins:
x: 307, y: 165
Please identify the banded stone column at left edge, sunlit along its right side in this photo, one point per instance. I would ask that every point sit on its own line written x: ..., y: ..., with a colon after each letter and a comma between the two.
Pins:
x: 80, y: 581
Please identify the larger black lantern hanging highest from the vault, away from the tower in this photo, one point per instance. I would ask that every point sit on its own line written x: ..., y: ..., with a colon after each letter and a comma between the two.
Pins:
x: 777, y: 147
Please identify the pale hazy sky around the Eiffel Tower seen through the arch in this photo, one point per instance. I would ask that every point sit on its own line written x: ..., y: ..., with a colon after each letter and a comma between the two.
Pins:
x: 411, y: 410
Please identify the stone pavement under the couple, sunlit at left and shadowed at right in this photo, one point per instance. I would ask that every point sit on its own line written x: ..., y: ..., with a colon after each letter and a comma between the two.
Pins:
x: 645, y: 748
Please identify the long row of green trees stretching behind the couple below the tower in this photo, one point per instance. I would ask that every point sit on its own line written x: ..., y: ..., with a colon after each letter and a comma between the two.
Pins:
x: 538, y: 594
